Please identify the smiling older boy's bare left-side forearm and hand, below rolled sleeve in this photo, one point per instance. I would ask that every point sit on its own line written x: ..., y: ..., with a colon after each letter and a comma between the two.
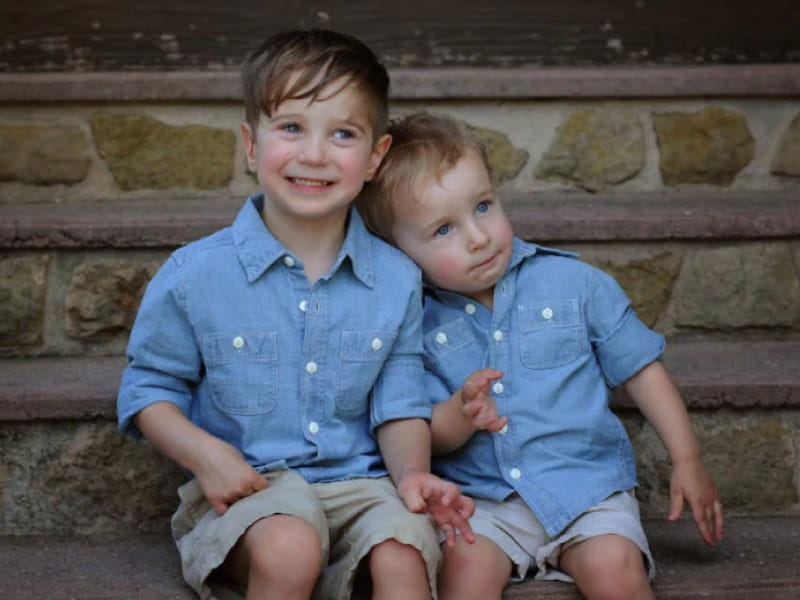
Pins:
x: 223, y: 474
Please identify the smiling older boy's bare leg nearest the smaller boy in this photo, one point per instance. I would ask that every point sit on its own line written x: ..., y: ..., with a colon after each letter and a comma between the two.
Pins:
x: 398, y: 572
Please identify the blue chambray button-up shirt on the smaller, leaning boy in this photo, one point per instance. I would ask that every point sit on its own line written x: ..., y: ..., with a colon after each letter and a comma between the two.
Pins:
x: 563, y: 333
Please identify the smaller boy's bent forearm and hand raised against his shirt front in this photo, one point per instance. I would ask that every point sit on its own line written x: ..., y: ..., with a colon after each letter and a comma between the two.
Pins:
x: 469, y: 410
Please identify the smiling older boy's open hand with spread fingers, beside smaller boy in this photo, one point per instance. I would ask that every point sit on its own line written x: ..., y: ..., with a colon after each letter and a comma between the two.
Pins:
x: 442, y: 500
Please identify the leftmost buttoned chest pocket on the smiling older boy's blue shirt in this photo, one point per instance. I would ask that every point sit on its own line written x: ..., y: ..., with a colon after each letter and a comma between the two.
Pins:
x: 242, y: 371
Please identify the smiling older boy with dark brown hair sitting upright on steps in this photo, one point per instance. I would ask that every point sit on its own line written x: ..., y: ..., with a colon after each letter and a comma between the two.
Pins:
x: 275, y: 358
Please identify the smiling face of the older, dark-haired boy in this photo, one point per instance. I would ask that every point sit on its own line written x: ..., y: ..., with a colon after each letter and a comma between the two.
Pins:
x: 312, y: 158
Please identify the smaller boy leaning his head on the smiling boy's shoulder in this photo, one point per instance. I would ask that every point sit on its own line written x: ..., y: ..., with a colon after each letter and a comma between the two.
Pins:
x: 547, y: 336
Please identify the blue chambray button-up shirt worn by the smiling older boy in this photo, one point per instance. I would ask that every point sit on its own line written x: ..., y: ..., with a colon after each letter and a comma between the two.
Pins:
x: 294, y: 376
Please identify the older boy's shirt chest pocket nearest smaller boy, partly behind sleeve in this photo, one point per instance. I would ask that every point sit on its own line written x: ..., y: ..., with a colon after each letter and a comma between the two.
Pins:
x: 362, y: 356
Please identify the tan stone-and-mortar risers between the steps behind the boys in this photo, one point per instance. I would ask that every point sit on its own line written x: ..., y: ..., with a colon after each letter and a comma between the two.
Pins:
x: 82, y: 476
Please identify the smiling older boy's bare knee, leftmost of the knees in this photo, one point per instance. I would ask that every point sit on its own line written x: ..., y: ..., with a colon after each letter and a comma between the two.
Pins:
x: 285, y: 549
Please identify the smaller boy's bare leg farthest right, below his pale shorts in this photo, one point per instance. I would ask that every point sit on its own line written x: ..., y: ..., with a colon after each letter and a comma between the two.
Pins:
x: 608, y: 567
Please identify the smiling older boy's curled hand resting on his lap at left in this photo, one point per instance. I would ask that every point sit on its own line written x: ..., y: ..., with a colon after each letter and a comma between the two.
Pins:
x: 226, y: 476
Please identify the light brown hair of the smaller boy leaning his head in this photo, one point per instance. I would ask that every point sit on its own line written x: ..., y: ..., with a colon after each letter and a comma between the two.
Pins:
x: 423, y: 146
